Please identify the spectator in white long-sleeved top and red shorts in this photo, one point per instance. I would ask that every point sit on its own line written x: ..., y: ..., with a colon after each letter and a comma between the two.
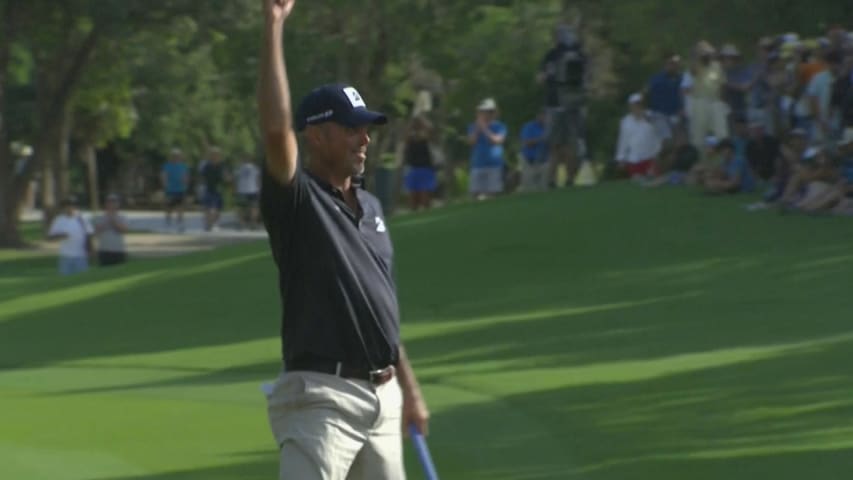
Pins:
x: 639, y: 140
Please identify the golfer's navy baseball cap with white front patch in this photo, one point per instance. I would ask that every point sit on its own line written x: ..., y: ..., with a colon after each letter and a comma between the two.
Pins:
x: 337, y: 103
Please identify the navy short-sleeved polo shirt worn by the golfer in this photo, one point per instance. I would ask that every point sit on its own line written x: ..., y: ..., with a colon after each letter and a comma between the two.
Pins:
x: 335, y: 273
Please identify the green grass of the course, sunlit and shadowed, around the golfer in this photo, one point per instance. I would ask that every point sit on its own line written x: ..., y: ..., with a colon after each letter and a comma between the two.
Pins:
x: 610, y: 333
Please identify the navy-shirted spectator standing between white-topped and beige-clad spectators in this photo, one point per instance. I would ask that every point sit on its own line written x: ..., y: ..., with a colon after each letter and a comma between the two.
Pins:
x: 665, y: 99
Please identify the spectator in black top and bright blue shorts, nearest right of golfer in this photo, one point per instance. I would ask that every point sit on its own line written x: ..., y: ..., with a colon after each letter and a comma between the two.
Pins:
x: 421, y: 180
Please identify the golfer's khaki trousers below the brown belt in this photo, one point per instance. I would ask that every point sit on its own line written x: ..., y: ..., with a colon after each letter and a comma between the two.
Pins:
x: 332, y: 428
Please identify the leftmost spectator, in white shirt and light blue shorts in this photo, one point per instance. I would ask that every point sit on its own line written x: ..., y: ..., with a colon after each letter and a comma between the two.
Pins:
x: 73, y: 230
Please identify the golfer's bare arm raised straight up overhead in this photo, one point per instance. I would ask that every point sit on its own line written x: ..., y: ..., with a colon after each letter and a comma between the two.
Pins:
x: 274, y: 95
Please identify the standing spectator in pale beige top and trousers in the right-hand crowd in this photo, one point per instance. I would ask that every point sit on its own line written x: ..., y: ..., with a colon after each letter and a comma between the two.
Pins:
x: 707, y: 110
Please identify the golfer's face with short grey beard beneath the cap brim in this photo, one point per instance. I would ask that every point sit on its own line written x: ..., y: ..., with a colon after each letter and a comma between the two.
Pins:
x: 344, y: 148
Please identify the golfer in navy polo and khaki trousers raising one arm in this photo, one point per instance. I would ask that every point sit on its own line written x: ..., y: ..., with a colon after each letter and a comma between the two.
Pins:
x: 347, y: 390
